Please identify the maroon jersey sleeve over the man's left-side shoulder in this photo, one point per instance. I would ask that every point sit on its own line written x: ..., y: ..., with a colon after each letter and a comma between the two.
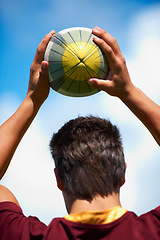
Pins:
x: 15, y: 225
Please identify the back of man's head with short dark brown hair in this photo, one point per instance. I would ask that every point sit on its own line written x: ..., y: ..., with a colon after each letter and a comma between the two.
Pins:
x: 89, y: 157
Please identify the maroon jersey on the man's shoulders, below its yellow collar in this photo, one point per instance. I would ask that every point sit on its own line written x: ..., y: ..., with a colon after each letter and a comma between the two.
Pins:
x: 14, y: 225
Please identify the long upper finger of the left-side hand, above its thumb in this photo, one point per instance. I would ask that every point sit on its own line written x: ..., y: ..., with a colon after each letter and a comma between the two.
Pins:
x: 39, y: 56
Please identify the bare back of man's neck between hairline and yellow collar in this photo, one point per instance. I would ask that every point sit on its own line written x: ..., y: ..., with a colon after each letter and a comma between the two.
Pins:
x: 97, y: 204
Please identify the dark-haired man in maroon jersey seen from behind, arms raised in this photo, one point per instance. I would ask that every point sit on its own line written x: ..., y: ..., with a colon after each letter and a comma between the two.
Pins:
x: 89, y: 160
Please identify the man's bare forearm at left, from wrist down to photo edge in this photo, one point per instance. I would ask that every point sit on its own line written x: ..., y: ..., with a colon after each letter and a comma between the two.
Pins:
x: 12, y: 131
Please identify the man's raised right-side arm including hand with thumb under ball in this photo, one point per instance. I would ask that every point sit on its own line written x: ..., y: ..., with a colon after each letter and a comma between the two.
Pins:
x: 118, y: 84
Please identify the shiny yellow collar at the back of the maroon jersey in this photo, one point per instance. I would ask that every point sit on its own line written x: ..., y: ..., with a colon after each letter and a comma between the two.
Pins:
x: 97, y: 217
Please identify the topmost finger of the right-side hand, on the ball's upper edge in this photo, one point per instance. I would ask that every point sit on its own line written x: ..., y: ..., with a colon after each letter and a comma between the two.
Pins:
x: 110, y: 40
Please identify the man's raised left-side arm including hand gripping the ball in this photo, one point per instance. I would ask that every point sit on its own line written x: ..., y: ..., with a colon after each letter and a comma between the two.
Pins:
x: 12, y: 131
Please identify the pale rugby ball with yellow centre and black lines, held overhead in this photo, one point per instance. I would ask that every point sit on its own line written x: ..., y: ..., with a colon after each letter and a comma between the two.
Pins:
x: 74, y: 58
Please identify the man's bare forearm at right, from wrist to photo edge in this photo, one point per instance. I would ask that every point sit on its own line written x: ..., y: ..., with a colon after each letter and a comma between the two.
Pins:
x: 145, y: 109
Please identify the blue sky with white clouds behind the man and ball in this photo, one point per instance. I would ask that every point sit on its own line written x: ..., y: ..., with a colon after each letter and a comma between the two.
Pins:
x: 136, y: 26
